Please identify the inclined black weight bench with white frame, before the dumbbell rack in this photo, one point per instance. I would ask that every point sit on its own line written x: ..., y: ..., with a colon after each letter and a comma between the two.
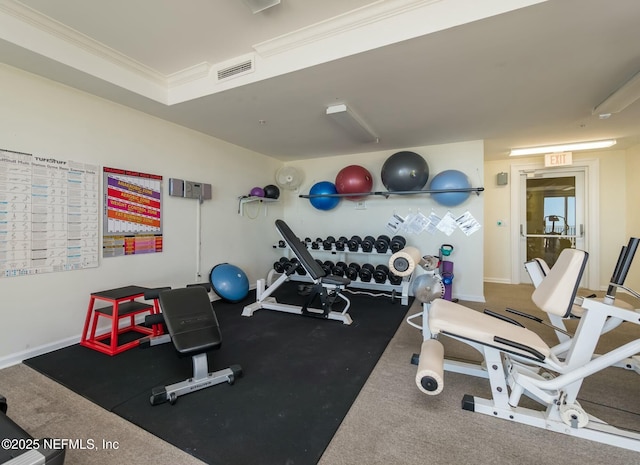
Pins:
x: 327, y: 287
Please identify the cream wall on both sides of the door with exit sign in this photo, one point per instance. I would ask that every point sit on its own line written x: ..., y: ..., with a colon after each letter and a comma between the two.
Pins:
x: 614, y: 209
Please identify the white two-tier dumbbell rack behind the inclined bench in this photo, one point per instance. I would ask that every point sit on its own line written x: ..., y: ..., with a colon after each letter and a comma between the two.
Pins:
x: 402, y: 289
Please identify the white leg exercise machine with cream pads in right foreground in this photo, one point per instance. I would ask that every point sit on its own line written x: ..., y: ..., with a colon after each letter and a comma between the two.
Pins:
x: 518, y: 362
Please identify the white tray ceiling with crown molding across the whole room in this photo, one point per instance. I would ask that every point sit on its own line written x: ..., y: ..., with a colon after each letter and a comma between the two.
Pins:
x: 420, y: 72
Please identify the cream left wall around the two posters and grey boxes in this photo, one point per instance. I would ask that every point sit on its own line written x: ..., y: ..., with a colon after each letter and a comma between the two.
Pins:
x: 44, y: 118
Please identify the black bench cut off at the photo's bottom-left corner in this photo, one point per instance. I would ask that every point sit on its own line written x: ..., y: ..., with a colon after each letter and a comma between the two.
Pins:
x: 21, y: 448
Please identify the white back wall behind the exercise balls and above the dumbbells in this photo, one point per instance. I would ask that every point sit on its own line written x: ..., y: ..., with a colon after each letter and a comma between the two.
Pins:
x: 345, y: 220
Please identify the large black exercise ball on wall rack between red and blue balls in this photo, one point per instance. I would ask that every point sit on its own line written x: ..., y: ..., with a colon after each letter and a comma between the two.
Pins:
x: 405, y: 171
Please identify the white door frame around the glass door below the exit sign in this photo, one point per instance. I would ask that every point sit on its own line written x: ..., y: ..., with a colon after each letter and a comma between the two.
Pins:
x: 592, y: 216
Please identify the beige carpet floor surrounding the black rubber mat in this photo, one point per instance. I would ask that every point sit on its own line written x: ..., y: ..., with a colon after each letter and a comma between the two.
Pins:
x: 391, y: 422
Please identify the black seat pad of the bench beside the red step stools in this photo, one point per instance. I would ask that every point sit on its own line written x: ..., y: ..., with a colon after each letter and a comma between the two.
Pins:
x: 190, y: 320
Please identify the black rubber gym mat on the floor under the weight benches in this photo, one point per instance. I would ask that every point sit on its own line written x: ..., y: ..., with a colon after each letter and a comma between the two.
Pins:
x: 301, y: 376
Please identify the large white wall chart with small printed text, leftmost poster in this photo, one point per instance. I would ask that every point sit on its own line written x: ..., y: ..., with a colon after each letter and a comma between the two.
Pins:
x: 49, y: 214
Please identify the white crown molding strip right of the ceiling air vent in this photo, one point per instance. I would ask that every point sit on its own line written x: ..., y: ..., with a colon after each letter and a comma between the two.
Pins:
x: 354, y: 19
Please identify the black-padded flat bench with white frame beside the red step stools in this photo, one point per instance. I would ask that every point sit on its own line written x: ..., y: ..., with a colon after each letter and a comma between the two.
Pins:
x: 193, y: 328
